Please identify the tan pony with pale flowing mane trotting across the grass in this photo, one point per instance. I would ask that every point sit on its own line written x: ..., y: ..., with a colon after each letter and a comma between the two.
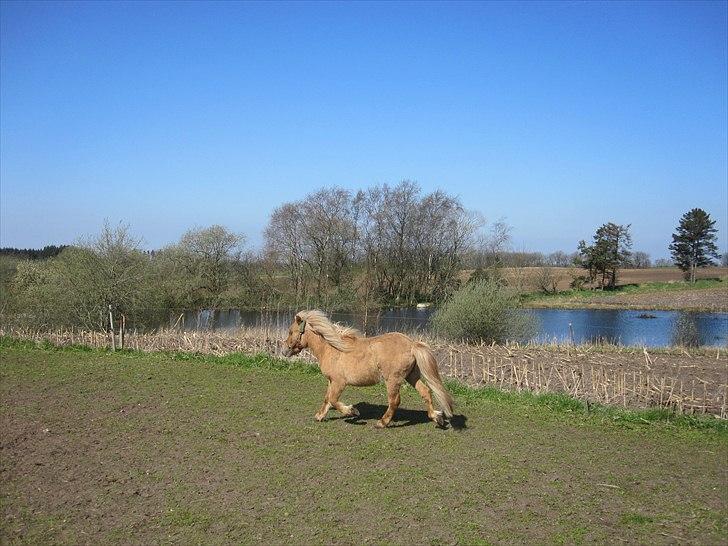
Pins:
x: 348, y: 358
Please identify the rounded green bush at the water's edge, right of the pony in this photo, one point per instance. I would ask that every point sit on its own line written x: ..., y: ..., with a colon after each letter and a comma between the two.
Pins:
x: 484, y: 311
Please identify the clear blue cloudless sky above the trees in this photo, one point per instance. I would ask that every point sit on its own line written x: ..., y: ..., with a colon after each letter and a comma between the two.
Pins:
x: 557, y: 116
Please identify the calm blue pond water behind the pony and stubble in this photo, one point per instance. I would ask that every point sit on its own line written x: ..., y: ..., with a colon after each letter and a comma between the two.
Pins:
x: 625, y: 327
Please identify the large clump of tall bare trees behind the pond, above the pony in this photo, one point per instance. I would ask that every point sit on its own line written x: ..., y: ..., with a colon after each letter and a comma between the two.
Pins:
x: 406, y: 245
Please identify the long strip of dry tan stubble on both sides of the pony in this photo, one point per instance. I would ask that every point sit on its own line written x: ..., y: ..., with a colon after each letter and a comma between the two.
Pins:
x: 686, y: 381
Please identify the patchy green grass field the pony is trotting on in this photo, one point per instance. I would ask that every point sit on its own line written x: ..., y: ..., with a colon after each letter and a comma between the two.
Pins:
x: 150, y: 448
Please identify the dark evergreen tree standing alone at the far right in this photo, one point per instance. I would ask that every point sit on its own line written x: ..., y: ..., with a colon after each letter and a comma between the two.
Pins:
x: 693, y: 245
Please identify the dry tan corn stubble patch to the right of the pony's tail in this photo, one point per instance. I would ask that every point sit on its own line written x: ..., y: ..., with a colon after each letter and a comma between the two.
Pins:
x: 680, y: 380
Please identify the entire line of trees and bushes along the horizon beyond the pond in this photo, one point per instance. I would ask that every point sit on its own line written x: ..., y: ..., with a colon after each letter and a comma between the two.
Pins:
x: 335, y: 249
